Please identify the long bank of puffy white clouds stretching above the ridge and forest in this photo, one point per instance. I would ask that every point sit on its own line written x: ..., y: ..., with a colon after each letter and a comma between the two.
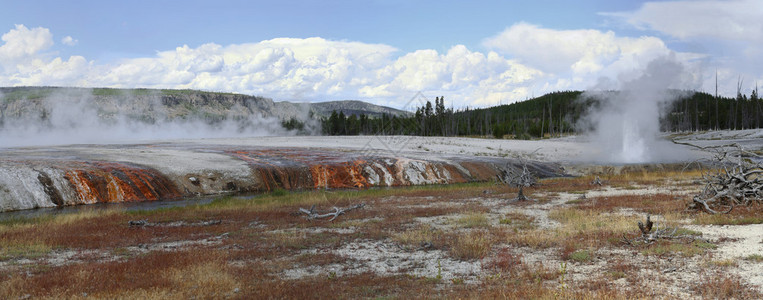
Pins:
x: 523, y: 61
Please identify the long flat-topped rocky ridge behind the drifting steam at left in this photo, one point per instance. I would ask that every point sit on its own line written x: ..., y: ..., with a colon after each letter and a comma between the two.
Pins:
x: 151, y: 105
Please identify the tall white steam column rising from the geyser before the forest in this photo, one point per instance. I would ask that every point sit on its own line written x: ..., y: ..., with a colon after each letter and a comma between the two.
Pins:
x: 625, y: 128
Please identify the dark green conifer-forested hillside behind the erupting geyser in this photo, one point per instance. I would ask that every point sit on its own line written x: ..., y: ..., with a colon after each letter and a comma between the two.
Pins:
x: 553, y: 114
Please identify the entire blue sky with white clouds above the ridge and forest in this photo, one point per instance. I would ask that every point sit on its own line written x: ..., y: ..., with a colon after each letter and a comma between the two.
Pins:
x: 475, y: 53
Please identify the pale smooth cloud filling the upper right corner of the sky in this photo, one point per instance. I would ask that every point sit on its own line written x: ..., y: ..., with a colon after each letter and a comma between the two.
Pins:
x: 728, y: 32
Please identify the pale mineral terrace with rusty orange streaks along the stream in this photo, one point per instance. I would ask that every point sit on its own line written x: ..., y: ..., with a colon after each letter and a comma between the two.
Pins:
x: 86, y: 174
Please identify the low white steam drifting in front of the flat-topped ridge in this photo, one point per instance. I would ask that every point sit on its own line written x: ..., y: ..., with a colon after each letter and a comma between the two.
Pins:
x: 67, y: 117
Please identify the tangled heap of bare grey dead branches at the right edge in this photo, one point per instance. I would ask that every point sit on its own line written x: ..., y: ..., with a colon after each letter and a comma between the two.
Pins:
x: 737, y: 181
